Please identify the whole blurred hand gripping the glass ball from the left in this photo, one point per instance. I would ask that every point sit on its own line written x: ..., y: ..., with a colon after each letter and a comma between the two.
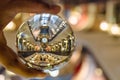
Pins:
x: 8, y: 9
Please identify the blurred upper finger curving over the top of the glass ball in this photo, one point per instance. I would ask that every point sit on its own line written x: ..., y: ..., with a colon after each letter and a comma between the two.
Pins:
x: 32, y: 6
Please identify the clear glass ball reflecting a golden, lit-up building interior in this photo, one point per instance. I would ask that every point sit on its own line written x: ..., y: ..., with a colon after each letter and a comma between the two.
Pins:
x: 45, y: 42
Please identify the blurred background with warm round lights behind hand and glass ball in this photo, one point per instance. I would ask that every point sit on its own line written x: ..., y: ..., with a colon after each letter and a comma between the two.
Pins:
x: 96, y: 24
